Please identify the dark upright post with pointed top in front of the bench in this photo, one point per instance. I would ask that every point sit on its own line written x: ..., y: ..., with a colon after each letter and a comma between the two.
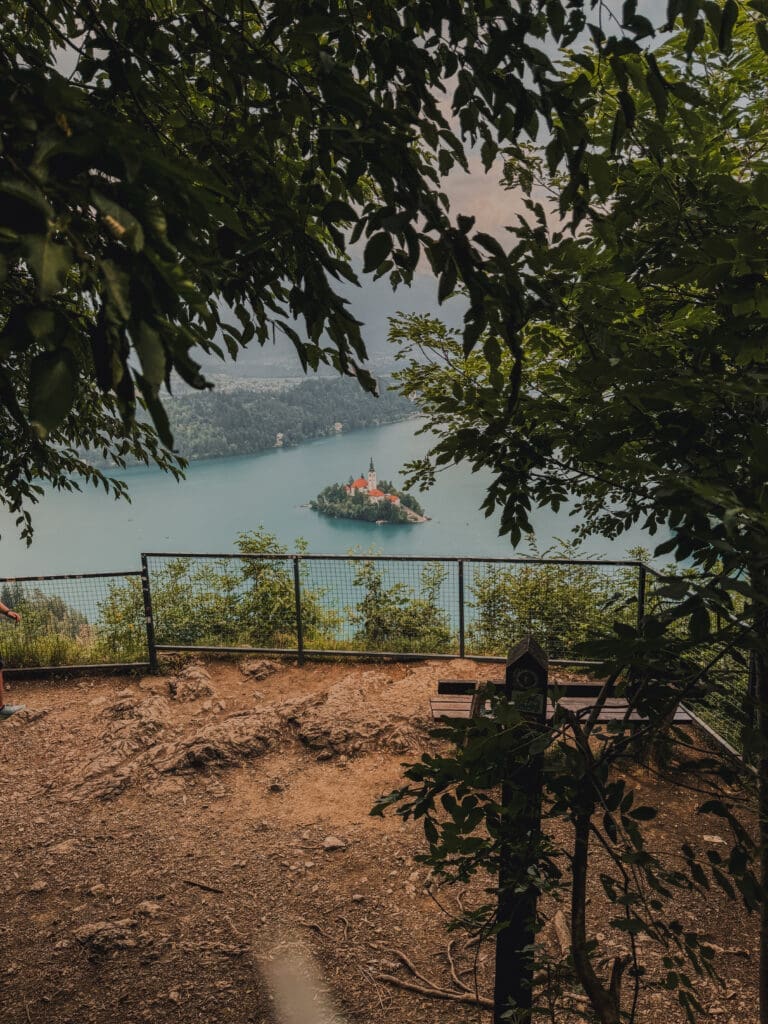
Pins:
x: 526, y: 685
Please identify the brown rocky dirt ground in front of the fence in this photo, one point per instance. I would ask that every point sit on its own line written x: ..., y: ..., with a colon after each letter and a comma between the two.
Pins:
x: 198, y: 847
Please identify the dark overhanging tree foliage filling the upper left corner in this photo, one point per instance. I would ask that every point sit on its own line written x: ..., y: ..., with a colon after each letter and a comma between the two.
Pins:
x: 186, y: 179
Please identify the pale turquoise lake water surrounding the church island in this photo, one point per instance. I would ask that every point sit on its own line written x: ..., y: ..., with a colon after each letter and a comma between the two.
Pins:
x: 90, y: 532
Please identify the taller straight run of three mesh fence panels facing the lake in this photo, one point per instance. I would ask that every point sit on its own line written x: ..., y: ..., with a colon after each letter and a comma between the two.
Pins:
x: 387, y: 605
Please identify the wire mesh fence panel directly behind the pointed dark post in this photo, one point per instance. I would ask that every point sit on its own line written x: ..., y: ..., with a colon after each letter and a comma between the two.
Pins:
x: 564, y: 605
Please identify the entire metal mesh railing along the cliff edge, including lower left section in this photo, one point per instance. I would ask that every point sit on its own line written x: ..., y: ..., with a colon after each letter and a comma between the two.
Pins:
x: 338, y: 606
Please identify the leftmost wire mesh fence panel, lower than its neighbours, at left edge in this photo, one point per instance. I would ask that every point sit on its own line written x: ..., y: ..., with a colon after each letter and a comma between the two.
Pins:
x: 89, y: 620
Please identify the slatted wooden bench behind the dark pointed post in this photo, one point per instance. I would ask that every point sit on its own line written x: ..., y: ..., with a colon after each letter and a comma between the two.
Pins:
x: 455, y: 699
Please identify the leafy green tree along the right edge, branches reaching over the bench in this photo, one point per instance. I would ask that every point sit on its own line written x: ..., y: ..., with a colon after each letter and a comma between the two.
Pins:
x: 644, y: 399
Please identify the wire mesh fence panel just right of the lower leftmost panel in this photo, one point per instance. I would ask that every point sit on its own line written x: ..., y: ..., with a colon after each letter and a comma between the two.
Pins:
x: 224, y: 602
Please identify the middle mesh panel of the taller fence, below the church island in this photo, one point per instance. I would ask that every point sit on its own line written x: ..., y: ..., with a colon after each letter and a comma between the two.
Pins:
x: 380, y: 605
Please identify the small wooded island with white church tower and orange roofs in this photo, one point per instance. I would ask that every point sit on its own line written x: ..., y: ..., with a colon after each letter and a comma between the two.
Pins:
x: 369, y: 499
